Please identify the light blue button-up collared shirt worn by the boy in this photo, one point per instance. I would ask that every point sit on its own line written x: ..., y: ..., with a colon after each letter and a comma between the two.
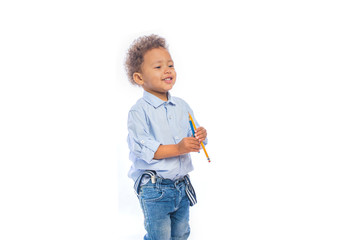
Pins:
x: 153, y: 122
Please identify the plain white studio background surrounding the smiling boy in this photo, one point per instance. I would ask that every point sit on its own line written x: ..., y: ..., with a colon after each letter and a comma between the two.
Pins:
x: 261, y: 77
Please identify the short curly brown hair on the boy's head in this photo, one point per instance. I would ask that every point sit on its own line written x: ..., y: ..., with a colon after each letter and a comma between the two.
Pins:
x: 137, y: 50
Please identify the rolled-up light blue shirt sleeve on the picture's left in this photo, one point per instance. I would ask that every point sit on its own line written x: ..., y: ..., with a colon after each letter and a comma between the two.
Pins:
x: 140, y: 140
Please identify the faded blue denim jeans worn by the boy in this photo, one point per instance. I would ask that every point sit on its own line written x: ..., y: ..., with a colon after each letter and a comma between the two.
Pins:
x: 165, y: 207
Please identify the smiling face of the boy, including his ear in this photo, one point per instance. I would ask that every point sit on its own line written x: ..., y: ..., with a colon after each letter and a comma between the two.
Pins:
x: 157, y: 75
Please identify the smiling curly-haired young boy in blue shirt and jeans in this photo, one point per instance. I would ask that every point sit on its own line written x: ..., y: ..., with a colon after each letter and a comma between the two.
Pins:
x: 160, y: 140
